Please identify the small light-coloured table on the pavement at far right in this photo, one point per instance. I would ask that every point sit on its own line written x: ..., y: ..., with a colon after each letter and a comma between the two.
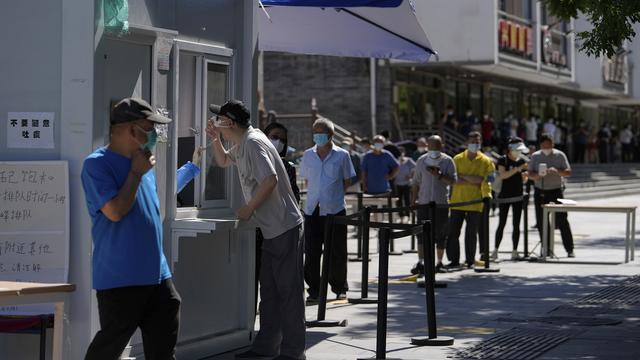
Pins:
x: 550, y: 222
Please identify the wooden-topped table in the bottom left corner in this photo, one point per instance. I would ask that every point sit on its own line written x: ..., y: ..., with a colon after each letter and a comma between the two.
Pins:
x: 20, y: 293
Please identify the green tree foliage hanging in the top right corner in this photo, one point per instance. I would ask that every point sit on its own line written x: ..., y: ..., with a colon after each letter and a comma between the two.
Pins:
x: 612, y: 22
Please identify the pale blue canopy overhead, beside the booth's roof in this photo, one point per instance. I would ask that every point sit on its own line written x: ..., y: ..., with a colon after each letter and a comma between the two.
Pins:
x: 386, y: 29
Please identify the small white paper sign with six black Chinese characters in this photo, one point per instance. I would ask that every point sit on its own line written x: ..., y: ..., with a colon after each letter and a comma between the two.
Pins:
x: 30, y: 130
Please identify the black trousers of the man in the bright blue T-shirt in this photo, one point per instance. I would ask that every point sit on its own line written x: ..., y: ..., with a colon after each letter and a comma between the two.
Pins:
x: 155, y: 309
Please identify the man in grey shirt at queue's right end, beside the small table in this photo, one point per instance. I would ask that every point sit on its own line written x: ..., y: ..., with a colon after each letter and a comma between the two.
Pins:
x: 547, y: 168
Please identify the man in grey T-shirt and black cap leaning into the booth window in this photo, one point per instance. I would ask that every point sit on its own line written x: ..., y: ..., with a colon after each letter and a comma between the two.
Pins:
x: 270, y: 203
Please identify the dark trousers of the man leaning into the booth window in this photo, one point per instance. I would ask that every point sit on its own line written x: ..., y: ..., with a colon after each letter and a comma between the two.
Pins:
x: 282, y: 322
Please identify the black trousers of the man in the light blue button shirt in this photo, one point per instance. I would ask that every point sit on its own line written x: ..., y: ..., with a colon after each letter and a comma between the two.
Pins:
x: 313, y: 243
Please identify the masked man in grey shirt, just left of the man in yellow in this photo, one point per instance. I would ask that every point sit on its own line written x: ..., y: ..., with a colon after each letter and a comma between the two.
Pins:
x: 434, y: 173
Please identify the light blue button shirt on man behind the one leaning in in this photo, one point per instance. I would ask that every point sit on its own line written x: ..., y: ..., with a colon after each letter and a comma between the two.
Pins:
x: 326, y: 179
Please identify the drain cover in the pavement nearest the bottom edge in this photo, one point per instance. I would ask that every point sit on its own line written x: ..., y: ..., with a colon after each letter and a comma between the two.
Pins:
x: 516, y: 344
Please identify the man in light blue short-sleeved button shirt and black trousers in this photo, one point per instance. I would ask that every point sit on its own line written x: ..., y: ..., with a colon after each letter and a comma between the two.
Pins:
x: 328, y: 171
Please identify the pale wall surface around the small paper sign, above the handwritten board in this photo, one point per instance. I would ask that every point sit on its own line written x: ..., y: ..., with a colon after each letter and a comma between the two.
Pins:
x: 30, y: 62
